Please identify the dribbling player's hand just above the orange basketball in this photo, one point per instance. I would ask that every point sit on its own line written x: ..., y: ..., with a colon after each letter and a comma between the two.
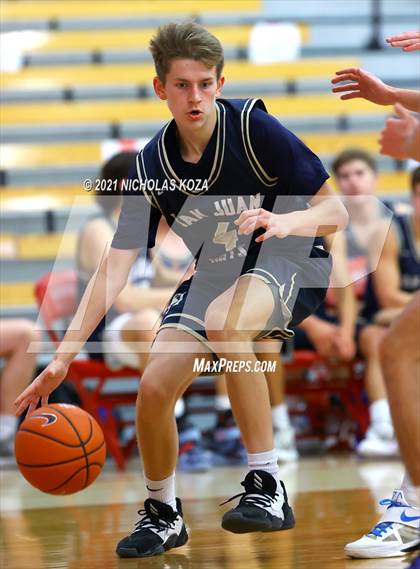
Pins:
x: 41, y: 387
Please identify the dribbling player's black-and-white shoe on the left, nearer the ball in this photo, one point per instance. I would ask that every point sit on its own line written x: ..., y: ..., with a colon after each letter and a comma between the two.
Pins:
x: 161, y: 528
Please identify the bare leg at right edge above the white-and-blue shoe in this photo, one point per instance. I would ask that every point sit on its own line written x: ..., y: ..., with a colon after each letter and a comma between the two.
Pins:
x: 401, y: 364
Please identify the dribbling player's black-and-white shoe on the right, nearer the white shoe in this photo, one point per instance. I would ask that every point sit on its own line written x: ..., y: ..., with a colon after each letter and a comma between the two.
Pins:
x: 261, y: 507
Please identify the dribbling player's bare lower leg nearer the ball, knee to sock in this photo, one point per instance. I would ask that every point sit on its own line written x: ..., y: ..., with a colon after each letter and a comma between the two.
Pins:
x: 164, y: 380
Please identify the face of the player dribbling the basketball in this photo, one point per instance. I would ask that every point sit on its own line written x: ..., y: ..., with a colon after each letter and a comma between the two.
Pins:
x: 190, y: 90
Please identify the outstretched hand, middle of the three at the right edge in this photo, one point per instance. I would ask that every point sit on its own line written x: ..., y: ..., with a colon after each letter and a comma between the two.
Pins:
x: 364, y: 85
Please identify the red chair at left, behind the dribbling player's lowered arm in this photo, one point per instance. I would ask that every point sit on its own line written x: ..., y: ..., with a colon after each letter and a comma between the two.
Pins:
x: 56, y: 295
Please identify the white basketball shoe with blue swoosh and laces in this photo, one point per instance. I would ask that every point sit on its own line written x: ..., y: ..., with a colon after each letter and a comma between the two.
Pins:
x: 396, y: 534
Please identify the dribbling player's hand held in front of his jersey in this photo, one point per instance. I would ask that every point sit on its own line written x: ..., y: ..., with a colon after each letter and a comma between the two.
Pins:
x: 276, y: 225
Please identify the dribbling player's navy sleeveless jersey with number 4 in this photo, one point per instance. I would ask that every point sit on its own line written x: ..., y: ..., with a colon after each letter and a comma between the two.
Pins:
x: 250, y: 161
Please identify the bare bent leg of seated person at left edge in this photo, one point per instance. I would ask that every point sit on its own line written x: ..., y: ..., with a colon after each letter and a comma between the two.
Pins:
x: 16, y: 334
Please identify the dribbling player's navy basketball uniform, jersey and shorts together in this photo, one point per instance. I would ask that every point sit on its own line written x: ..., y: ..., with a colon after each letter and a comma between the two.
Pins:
x: 250, y: 161
